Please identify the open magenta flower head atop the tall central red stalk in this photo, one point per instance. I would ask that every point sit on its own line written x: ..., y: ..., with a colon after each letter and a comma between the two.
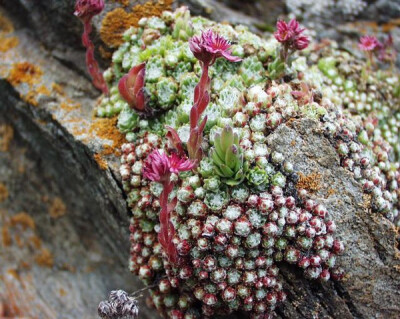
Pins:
x: 210, y: 46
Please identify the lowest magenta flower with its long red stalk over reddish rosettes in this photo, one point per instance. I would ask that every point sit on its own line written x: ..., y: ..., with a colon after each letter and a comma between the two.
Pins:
x: 159, y: 167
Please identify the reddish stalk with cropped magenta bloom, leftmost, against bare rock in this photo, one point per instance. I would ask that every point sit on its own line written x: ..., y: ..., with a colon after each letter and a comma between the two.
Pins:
x: 85, y: 10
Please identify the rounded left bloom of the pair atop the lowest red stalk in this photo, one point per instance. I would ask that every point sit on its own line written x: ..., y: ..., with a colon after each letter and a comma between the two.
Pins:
x: 156, y: 167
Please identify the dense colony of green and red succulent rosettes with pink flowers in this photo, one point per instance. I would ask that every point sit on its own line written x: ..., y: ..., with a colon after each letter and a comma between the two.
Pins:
x: 214, y: 211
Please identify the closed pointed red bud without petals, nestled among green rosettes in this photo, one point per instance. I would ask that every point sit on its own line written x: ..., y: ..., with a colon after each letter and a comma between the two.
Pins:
x: 131, y: 87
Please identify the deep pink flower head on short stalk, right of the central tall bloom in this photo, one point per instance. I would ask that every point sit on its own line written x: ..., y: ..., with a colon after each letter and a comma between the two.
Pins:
x: 291, y: 38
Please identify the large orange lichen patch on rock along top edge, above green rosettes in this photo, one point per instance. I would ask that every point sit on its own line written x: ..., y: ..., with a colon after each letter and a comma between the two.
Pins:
x: 118, y: 20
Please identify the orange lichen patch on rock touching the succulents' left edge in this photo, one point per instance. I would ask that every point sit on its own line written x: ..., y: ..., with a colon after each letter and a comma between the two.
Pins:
x: 105, y: 129
